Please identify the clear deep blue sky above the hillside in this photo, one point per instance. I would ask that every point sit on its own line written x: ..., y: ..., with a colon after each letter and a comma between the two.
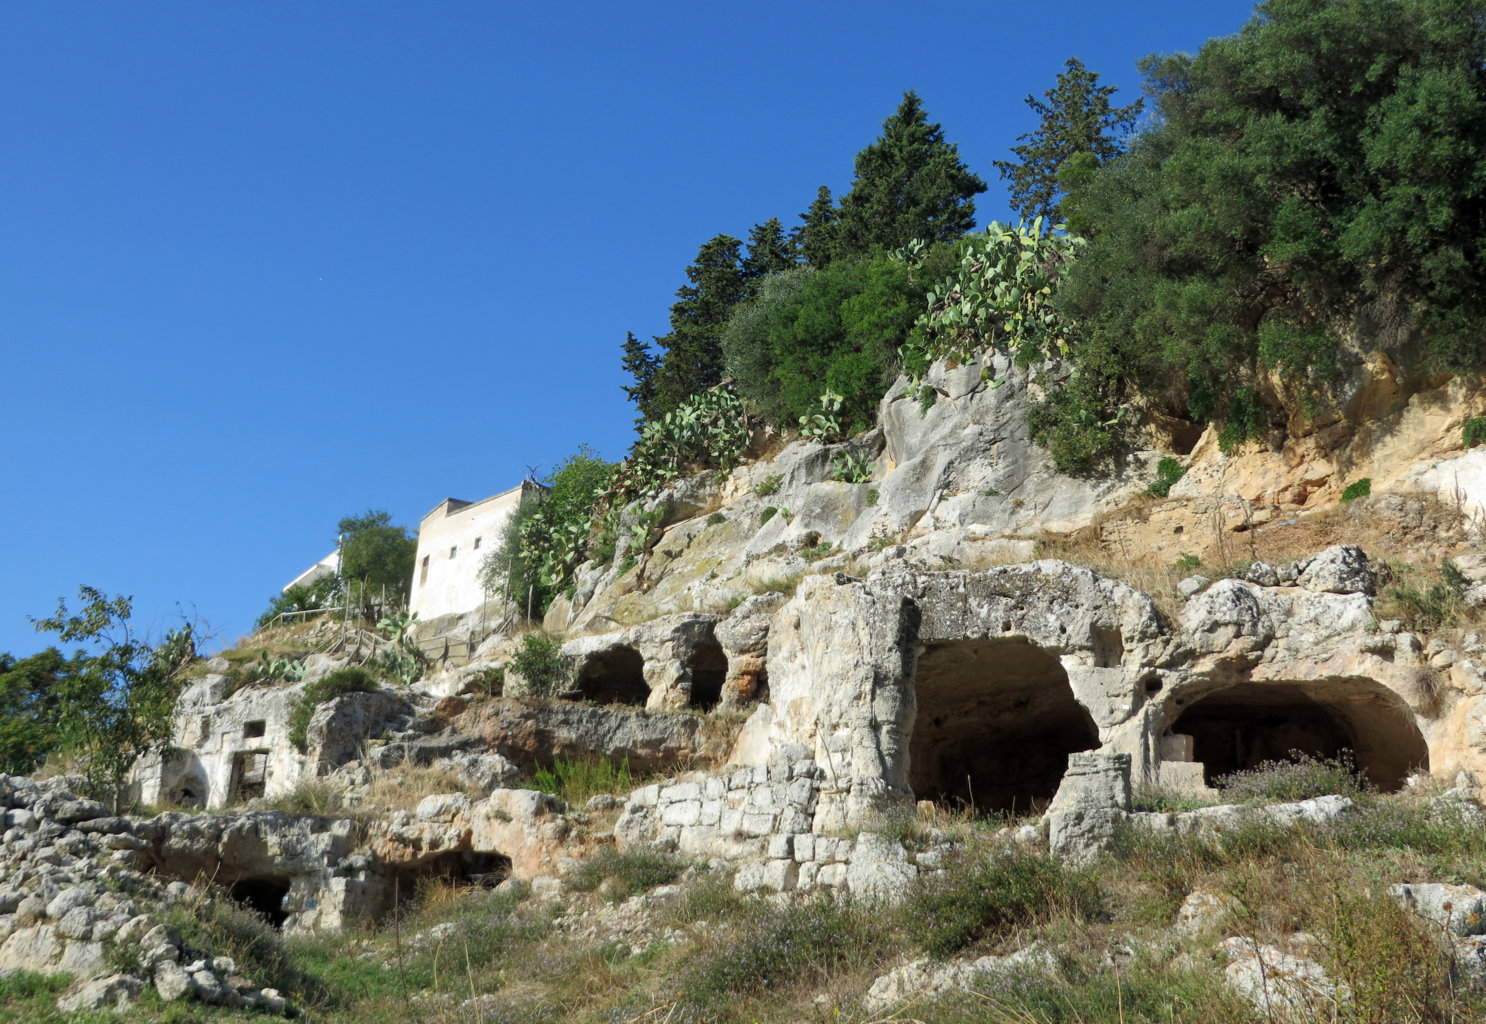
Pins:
x: 265, y: 265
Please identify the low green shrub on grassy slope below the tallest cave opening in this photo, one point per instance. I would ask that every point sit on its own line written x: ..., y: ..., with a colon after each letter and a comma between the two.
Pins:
x: 989, y: 898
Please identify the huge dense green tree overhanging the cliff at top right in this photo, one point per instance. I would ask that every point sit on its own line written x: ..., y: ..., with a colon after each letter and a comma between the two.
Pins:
x: 1314, y: 178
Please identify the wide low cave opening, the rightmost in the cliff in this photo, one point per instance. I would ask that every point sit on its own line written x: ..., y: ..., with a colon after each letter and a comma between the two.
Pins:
x: 1243, y: 726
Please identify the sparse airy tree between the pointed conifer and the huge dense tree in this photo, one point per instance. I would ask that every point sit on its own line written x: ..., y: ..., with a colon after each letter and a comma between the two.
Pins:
x: 1078, y: 120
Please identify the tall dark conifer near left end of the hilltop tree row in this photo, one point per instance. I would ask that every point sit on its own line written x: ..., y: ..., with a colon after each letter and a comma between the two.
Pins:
x: 693, y: 354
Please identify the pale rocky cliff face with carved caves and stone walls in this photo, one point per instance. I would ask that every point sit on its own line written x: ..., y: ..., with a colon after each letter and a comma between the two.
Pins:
x: 803, y: 661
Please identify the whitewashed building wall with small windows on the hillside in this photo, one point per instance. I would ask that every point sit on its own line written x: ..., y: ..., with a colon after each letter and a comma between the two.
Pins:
x: 452, y: 543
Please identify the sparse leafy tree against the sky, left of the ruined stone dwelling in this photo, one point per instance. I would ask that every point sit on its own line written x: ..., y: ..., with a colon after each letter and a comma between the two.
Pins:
x: 118, y: 702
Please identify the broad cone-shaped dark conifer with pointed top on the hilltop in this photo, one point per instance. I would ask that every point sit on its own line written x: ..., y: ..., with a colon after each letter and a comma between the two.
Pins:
x: 910, y: 184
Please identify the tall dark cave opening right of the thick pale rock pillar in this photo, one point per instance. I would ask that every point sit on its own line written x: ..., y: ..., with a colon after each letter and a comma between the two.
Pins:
x: 995, y: 728
